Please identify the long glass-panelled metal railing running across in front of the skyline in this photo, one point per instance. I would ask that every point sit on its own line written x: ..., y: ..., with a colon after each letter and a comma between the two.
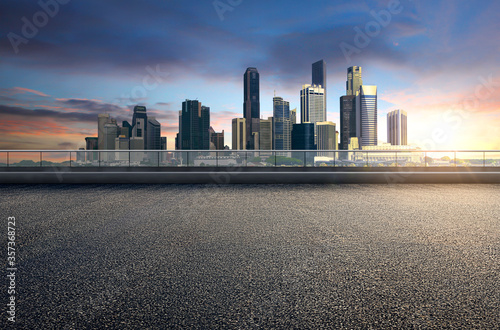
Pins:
x: 368, y: 157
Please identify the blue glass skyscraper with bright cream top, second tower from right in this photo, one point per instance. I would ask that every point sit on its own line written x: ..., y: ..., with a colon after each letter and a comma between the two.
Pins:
x: 366, y: 115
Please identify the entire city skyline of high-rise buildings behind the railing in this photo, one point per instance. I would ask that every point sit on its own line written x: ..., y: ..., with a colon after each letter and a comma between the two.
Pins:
x: 358, y: 122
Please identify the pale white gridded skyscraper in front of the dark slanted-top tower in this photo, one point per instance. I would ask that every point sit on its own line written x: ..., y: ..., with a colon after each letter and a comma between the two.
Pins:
x: 312, y: 104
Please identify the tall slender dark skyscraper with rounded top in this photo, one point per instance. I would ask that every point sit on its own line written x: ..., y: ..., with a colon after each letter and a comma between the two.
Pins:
x: 251, y: 105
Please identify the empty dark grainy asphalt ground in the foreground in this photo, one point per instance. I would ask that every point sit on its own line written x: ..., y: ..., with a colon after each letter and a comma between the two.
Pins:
x: 255, y: 256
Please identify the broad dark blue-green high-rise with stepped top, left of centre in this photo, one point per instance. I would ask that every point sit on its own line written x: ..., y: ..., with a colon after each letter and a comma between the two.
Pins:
x: 194, y: 129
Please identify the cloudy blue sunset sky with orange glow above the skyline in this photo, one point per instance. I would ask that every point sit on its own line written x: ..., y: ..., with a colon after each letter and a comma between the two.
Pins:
x: 62, y: 62
